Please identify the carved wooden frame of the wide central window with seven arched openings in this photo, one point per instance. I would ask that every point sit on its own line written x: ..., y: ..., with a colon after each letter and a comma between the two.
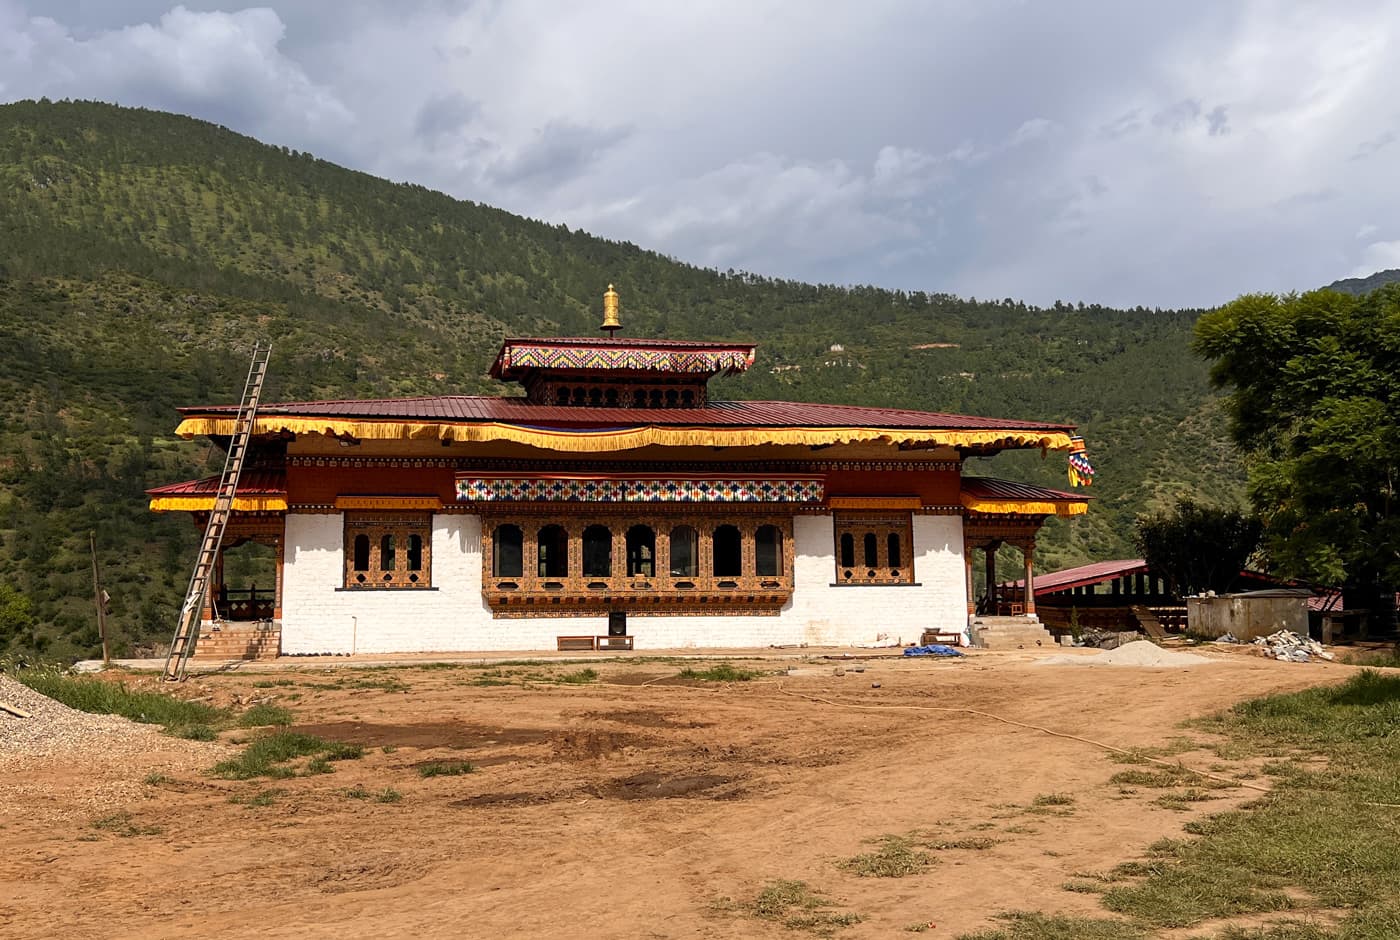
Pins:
x: 660, y: 595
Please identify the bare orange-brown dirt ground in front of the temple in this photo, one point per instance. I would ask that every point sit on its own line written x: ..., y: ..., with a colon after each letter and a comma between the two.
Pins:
x: 635, y: 806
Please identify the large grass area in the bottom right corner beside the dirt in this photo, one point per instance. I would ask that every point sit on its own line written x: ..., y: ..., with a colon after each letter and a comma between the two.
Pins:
x: 1312, y: 843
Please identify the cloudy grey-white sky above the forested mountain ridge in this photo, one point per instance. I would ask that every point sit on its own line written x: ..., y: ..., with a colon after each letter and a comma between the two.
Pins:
x: 1126, y: 153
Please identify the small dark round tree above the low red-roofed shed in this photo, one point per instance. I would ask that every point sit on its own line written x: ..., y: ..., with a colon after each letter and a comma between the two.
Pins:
x: 1198, y: 548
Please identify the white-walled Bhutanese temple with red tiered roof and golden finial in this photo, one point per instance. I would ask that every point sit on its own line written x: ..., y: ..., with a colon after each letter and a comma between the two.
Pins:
x: 615, y: 504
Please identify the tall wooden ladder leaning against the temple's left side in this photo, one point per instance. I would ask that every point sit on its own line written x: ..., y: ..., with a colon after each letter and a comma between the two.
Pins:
x: 187, y: 631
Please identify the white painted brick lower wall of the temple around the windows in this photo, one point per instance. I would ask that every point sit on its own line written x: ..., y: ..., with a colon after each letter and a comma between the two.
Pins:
x: 320, y: 618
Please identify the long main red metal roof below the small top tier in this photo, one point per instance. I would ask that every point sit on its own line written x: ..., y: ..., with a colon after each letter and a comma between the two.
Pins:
x: 519, y: 411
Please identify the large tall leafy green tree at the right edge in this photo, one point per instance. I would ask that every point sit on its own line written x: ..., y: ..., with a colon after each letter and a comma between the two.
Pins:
x: 1317, y: 408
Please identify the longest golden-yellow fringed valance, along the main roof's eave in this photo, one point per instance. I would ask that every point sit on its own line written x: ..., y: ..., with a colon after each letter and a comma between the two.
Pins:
x: 603, y: 441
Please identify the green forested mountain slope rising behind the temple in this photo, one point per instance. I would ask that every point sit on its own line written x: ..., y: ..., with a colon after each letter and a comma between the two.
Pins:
x: 142, y: 254
